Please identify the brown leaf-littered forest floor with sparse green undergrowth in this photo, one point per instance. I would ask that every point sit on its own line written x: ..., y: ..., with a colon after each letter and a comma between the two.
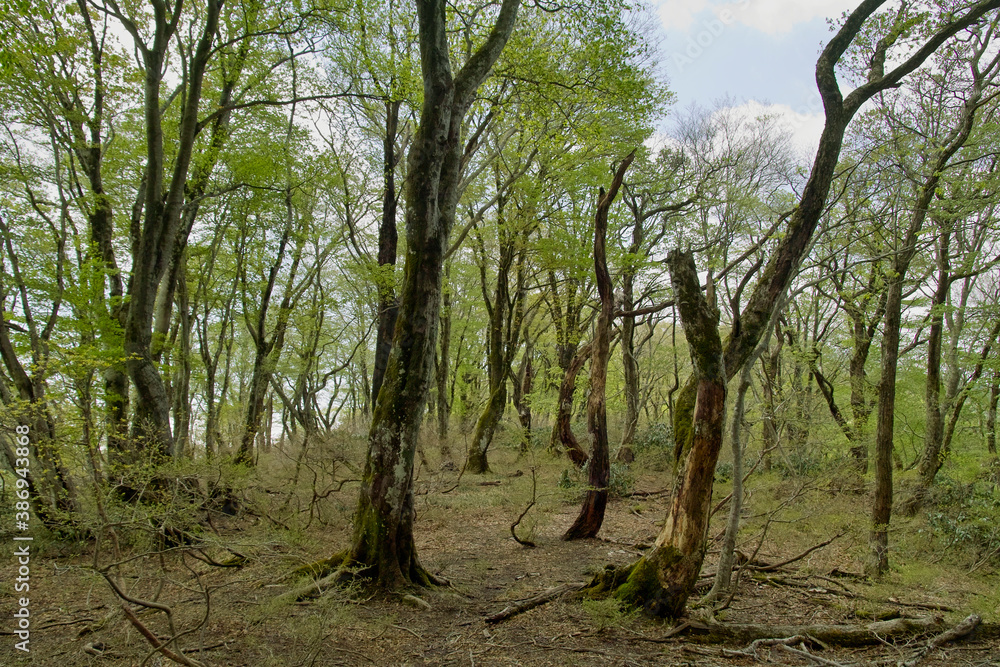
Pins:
x: 463, y: 535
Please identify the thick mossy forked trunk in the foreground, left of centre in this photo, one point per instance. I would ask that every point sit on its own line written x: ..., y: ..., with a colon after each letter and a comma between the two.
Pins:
x: 383, y: 542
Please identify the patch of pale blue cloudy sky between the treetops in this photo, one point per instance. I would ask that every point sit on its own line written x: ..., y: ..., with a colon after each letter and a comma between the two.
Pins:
x: 761, y: 53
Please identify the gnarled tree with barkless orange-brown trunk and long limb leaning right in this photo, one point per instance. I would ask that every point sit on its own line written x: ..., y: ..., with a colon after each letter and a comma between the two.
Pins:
x: 668, y: 572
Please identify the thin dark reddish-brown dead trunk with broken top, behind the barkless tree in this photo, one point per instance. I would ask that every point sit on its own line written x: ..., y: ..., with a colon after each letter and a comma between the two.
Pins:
x: 588, y: 523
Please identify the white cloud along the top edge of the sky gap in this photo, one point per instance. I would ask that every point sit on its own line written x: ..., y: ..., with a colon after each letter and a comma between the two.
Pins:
x: 769, y: 16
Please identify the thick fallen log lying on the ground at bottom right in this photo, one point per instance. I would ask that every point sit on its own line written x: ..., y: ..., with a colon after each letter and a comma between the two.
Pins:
x: 840, y: 635
